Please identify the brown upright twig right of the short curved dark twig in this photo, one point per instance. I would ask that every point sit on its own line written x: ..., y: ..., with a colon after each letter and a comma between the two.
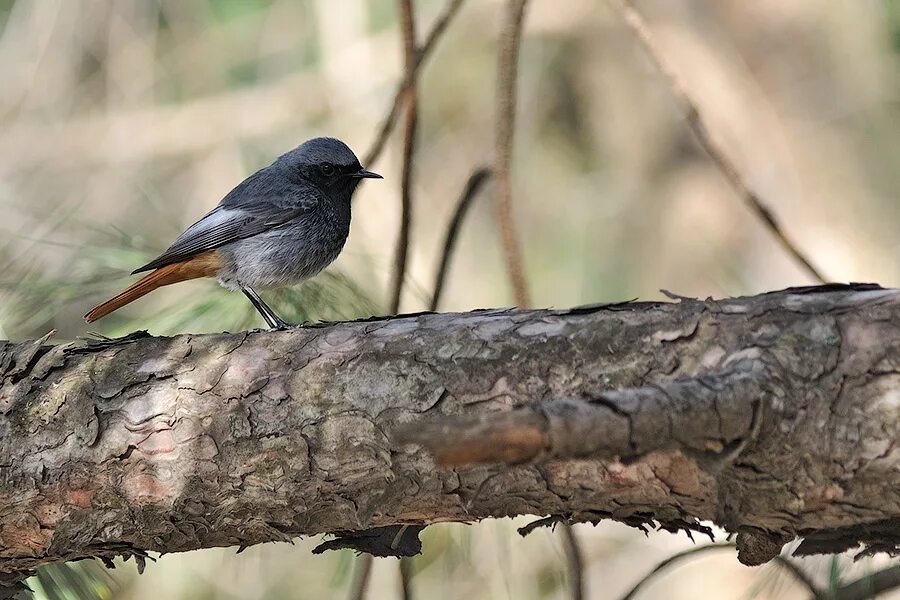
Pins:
x: 507, y: 69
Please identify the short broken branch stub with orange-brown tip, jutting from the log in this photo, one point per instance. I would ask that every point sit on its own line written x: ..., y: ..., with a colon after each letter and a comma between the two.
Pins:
x: 684, y: 414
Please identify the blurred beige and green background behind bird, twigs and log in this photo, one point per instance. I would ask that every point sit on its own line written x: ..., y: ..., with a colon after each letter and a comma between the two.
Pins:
x: 122, y: 122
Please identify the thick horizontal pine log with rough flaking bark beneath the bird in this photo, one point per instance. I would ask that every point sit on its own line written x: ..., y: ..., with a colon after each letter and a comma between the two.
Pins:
x: 774, y: 416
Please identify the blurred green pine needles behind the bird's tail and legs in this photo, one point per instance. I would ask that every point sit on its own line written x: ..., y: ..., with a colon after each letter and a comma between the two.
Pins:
x: 36, y: 301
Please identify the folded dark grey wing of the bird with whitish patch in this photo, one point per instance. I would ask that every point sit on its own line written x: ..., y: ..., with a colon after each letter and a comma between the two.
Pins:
x: 226, y: 224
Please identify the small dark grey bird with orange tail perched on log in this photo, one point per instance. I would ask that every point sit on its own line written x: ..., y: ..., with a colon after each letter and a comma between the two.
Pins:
x: 280, y: 226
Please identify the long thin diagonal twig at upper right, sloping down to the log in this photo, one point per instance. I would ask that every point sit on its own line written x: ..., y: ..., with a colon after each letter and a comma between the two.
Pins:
x: 698, y: 125
